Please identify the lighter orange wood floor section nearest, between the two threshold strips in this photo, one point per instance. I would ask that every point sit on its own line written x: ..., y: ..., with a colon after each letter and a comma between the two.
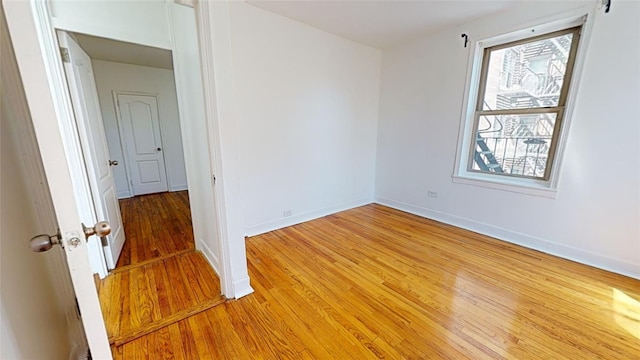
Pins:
x: 142, y: 298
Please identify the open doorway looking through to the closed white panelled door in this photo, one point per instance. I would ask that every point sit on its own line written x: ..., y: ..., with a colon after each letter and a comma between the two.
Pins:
x: 138, y: 123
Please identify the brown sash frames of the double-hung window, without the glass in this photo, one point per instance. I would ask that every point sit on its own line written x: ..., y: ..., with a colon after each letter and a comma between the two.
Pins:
x: 558, y: 110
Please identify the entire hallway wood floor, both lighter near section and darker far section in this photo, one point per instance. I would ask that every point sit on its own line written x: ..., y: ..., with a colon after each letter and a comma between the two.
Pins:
x: 160, y: 278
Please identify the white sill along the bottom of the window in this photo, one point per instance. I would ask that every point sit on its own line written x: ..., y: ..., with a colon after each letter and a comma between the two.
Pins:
x: 516, y: 185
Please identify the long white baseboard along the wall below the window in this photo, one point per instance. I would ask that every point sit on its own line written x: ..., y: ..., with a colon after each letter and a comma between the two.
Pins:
x: 514, y: 237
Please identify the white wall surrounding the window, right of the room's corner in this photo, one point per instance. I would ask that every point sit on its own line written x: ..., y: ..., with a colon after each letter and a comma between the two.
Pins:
x: 594, y: 218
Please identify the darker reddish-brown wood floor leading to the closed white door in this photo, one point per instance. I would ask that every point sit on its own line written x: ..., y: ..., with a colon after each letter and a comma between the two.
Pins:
x: 156, y: 225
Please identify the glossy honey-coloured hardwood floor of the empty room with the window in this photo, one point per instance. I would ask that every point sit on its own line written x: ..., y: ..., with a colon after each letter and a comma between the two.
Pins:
x: 374, y: 282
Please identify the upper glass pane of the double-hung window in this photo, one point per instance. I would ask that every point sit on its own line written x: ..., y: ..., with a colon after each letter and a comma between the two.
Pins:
x: 528, y: 75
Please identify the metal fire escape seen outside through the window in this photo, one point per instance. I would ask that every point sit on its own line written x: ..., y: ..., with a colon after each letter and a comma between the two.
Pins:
x: 531, y: 77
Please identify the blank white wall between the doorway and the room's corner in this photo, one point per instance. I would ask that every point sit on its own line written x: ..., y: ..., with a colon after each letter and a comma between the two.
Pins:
x: 307, y: 106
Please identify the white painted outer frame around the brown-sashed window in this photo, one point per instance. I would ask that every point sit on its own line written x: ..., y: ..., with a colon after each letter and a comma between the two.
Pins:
x: 537, y: 187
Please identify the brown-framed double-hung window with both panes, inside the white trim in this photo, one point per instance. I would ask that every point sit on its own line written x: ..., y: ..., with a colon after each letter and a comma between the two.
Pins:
x: 520, y: 105
